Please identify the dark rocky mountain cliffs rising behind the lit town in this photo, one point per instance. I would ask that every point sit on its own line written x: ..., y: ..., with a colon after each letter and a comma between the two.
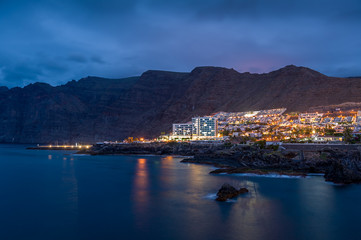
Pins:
x: 96, y: 109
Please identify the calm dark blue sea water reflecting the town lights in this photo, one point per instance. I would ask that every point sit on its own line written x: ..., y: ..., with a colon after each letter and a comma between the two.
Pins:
x: 58, y: 195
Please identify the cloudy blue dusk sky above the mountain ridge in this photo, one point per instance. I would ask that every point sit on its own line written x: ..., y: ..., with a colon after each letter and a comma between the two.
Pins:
x: 57, y: 41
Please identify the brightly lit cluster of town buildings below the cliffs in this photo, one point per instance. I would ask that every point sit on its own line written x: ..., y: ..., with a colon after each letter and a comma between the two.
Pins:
x: 270, y: 125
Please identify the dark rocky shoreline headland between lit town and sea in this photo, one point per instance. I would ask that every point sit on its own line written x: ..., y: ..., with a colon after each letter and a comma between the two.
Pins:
x: 338, y: 164
